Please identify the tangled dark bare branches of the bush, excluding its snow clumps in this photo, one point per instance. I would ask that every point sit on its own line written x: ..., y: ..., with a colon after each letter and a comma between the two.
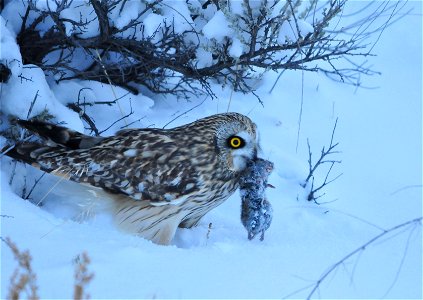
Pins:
x: 167, y: 60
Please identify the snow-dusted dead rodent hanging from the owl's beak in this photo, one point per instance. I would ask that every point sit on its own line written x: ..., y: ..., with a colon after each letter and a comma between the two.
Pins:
x: 256, y: 210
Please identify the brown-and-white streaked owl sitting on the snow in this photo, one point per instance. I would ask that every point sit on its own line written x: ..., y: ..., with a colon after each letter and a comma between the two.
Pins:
x: 159, y: 179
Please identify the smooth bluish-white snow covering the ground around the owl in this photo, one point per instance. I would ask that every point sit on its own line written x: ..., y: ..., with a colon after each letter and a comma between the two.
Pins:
x: 379, y: 133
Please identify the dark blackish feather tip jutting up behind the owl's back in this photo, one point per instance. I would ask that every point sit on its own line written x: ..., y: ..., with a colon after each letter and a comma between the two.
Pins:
x: 59, y: 135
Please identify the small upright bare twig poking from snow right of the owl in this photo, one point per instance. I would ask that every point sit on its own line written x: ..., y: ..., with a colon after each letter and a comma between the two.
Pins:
x: 325, y: 158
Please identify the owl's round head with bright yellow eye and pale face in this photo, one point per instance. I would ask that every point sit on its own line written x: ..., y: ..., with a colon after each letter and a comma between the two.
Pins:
x: 236, y: 141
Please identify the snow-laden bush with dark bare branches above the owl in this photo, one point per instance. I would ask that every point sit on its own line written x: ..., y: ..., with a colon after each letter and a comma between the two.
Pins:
x: 179, y: 47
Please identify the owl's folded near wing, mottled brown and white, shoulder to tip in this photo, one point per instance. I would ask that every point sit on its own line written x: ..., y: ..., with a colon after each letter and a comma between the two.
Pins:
x: 142, y: 164
